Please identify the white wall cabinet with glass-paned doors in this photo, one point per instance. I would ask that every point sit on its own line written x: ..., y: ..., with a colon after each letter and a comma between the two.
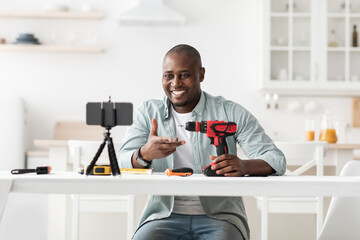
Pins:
x: 307, y: 47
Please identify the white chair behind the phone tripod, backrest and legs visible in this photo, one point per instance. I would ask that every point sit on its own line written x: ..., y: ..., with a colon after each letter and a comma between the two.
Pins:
x: 82, y: 152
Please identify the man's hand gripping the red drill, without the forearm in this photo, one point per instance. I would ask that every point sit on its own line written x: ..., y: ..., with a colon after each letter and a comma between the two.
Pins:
x: 229, y: 165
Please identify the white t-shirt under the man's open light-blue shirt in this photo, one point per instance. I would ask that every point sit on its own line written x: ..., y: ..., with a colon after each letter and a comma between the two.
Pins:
x: 189, y: 205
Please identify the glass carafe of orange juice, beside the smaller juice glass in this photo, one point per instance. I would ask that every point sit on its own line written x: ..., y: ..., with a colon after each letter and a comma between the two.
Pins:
x: 328, y: 129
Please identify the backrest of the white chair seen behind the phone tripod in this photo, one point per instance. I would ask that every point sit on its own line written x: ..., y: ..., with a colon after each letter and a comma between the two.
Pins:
x: 82, y: 152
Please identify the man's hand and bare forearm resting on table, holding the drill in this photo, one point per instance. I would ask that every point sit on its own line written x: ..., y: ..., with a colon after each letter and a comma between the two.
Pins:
x: 232, y: 166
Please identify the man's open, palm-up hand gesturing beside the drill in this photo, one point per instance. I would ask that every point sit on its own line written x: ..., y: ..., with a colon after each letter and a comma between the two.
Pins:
x: 159, y: 147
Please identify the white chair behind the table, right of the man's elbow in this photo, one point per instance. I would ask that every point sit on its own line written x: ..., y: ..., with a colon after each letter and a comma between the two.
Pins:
x: 304, y: 155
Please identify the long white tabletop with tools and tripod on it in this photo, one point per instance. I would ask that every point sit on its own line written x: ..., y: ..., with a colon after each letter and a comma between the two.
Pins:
x: 197, y: 184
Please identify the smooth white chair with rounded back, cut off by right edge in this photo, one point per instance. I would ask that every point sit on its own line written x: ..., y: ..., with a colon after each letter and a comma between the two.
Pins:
x: 343, y: 217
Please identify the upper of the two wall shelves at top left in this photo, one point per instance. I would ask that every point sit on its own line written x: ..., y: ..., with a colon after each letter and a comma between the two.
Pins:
x: 51, y: 14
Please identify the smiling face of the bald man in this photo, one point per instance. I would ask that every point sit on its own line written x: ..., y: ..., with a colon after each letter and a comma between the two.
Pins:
x: 181, y: 81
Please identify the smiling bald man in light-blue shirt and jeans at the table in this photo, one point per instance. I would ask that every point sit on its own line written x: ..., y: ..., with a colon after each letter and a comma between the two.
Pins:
x: 155, y: 140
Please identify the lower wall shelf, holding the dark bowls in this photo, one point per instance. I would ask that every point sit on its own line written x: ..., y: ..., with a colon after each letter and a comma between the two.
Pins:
x: 50, y: 48
